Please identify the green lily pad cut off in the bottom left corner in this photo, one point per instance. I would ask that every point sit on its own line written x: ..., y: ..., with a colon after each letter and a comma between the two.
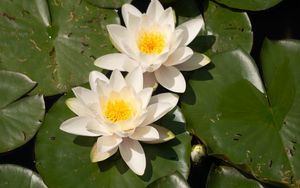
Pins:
x: 12, y: 176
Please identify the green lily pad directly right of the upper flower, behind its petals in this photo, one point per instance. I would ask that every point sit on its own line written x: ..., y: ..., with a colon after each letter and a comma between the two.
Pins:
x: 232, y: 29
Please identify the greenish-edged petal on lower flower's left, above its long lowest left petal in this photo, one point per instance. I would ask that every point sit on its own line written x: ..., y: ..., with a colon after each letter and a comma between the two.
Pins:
x: 79, y: 108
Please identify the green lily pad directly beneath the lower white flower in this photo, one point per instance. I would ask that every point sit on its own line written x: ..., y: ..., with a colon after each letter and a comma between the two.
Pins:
x: 63, y: 159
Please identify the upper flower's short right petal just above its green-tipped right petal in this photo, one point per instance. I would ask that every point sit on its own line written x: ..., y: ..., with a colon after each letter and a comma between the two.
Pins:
x: 179, y: 56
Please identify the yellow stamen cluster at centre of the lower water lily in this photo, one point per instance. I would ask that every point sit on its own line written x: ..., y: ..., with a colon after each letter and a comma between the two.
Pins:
x: 117, y: 110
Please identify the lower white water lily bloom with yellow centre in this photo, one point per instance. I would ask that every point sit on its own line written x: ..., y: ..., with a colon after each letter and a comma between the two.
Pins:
x: 120, y: 113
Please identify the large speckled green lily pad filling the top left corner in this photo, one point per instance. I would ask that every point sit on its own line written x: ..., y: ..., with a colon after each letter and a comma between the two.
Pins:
x: 53, y: 42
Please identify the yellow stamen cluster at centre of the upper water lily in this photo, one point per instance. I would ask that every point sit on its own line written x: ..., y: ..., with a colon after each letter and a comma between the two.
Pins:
x: 152, y: 42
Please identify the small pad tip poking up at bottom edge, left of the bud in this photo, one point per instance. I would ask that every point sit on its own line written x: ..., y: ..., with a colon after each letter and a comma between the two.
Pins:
x: 173, y: 180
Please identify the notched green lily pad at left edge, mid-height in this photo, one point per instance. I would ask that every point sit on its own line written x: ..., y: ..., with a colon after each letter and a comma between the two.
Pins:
x: 20, y: 117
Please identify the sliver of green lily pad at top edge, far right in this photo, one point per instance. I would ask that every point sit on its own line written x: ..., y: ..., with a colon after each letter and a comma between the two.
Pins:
x: 254, y: 5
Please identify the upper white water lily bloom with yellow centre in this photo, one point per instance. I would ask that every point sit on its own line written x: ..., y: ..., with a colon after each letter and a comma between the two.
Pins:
x: 151, y: 41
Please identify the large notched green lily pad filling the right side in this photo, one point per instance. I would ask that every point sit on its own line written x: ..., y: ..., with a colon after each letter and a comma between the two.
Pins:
x: 226, y: 106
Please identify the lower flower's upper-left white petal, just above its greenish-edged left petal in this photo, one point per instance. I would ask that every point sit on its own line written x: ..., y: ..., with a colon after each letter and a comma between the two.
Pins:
x: 87, y: 96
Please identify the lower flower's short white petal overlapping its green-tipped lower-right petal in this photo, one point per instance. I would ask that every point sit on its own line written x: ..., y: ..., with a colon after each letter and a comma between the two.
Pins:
x: 146, y: 133
